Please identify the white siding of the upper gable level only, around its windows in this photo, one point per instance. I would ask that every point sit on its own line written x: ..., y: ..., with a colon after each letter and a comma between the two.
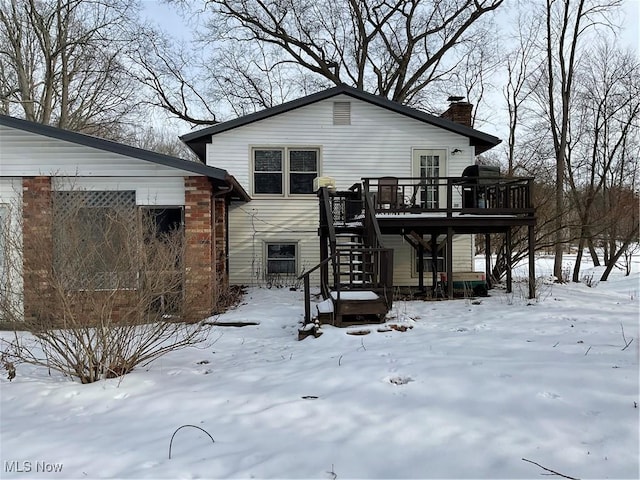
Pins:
x: 377, y: 143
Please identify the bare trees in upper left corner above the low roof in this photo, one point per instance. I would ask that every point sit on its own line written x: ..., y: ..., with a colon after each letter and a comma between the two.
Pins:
x: 61, y: 62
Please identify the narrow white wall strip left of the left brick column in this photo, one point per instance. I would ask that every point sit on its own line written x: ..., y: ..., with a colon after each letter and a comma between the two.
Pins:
x: 11, y: 263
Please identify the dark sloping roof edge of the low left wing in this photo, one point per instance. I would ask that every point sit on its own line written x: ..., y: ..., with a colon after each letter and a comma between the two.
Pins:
x: 217, y: 175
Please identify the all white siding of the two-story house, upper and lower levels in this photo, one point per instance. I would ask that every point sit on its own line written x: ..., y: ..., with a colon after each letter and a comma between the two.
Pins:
x: 377, y: 143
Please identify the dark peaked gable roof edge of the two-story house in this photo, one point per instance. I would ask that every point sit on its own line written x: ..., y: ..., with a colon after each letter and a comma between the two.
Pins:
x: 198, y: 140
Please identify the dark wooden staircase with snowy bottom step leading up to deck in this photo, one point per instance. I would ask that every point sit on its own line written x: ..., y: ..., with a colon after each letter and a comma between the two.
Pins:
x: 357, y: 263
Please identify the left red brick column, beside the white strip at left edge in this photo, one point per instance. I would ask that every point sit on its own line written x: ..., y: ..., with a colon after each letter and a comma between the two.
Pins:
x: 37, y: 245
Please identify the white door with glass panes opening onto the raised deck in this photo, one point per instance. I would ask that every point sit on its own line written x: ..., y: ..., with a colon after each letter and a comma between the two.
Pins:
x: 430, y: 164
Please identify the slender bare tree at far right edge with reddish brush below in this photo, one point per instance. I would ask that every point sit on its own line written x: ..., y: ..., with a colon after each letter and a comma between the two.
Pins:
x: 602, y: 167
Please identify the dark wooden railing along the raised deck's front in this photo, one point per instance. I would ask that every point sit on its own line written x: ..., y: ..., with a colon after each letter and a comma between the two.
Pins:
x: 451, y: 195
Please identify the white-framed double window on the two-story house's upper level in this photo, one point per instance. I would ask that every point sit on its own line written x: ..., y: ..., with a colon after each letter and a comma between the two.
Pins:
x: 274, y: 176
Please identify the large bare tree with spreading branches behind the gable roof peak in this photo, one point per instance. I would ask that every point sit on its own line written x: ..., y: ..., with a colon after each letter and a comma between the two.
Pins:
x: 256, y: 54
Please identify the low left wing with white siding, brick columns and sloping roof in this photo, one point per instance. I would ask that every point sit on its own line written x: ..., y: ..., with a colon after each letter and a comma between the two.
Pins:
x: 40, y: 164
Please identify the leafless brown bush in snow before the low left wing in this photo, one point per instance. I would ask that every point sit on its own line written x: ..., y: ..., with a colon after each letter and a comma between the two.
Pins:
x: 110, y: 290
